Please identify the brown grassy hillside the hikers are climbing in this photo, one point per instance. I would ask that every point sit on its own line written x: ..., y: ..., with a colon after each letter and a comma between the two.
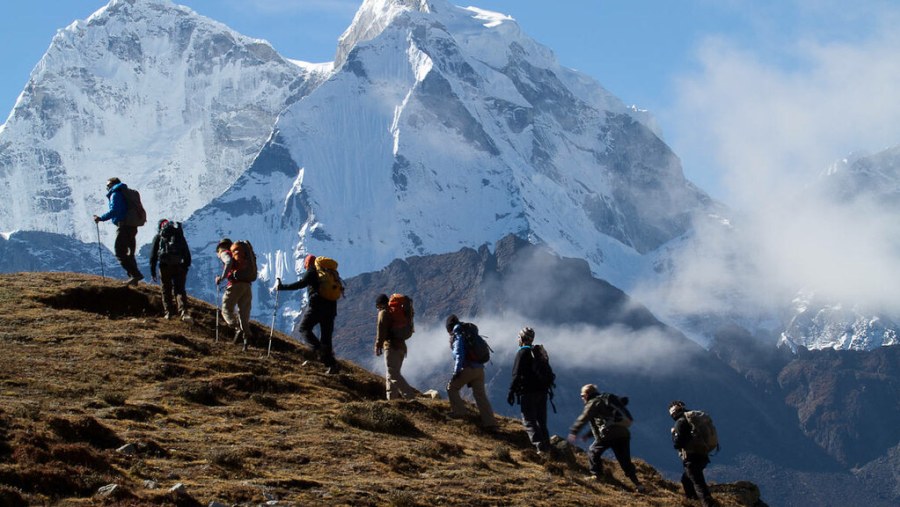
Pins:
x: 88, y: 367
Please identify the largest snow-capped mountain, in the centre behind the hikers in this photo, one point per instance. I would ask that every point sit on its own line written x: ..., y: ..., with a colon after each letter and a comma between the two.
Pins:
x: 444, y: 127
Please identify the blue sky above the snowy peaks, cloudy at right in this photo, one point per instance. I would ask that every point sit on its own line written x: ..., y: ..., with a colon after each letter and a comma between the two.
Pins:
x: 749, y: 93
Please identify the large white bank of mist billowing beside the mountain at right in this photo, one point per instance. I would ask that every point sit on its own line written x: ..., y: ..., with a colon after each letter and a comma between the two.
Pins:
x: 777, y: 126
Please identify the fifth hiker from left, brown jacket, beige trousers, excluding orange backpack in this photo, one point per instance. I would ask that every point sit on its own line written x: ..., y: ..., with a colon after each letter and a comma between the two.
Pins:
x: 392, y: 344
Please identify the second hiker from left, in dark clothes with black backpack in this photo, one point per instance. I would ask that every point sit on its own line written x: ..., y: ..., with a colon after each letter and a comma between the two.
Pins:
x: 170, y: 248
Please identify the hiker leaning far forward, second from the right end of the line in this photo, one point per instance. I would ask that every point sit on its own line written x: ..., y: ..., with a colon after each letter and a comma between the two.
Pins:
x: 609, y: 420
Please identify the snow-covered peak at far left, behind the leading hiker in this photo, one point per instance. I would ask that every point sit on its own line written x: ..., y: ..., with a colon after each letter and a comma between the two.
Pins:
x: 175, y: 104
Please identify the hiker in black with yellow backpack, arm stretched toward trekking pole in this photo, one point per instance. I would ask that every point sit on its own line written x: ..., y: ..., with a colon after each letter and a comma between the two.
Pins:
x: 320, y: 310
